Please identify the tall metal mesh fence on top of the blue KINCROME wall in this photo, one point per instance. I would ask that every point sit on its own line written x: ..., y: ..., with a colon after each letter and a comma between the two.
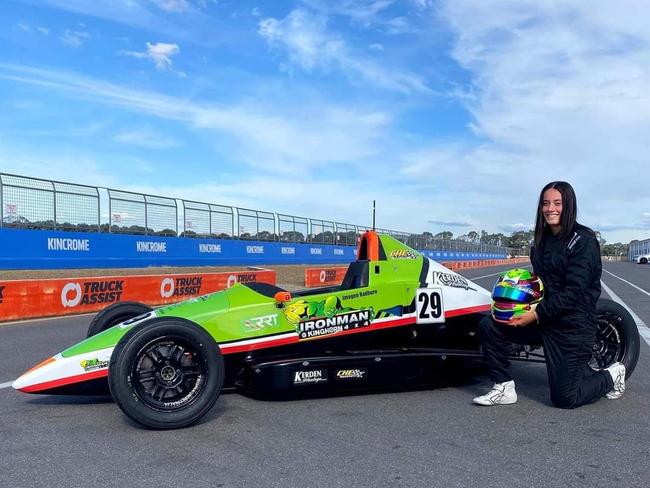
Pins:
x: 35, y: 203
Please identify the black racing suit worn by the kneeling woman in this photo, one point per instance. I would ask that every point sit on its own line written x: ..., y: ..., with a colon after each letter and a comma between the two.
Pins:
x: 571, y: 273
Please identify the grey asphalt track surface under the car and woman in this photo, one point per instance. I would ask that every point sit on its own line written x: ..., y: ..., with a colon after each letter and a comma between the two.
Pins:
x: 427, y: 438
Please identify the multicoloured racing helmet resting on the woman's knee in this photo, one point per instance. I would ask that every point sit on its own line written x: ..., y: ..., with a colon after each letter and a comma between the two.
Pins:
x: 514, y: 293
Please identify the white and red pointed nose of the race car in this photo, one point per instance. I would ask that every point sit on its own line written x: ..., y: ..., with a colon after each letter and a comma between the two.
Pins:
x: 59, y: 371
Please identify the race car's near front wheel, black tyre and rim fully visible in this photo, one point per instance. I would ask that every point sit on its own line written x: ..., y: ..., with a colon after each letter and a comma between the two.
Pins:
x: 166, y: 374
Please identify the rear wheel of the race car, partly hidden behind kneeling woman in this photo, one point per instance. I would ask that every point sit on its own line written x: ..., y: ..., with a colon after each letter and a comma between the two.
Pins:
x: 617, y: 338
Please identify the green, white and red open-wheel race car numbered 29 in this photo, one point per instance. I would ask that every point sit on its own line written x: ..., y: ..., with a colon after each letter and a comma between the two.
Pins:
x: 394, y: 319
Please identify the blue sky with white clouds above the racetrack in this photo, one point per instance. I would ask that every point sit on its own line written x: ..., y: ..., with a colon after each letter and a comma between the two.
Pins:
x: 452, y: 115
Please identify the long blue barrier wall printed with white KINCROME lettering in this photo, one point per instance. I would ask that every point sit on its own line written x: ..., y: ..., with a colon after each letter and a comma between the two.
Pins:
x: 39, y: 249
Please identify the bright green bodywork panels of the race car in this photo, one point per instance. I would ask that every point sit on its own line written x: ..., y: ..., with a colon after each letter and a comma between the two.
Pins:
x: 240, y: 312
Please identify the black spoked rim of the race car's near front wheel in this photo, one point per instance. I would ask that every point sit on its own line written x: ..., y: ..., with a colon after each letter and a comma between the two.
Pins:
x: 169, y: 373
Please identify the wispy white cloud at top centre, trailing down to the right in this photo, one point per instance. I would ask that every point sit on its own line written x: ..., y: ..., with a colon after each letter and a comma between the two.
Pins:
x: 310, y: 46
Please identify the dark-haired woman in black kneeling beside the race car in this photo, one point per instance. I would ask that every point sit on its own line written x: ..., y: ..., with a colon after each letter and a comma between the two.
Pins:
x: 566, y: 256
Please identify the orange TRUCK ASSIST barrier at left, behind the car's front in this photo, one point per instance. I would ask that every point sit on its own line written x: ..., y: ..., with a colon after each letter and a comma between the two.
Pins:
x: 22, y: 299
